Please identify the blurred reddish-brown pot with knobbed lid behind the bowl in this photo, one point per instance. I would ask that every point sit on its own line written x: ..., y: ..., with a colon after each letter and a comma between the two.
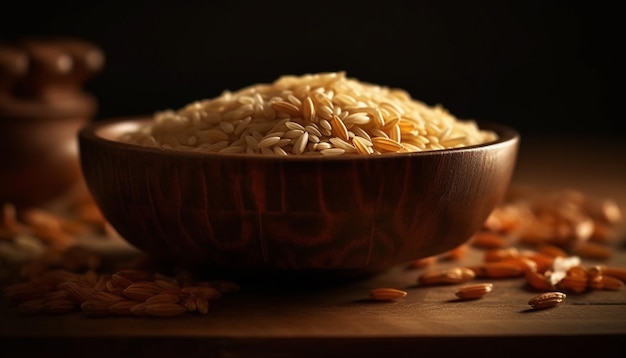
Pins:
x: 42, y: 107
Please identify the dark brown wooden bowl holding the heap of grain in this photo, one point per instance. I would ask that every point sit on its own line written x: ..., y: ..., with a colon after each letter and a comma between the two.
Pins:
x: 244, y: 212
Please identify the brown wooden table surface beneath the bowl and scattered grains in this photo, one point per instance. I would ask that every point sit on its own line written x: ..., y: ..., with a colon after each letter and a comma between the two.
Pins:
x: 312, y: 315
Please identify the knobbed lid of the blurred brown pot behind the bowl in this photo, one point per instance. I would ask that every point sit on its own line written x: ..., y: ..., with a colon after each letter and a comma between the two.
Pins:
x: 43, y: 77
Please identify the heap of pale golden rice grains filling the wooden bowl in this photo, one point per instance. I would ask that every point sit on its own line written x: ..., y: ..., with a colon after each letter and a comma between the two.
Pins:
x: 312, y: 114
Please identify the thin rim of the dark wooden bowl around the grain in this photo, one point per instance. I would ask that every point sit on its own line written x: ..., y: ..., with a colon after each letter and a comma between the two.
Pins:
x: 92, y: 132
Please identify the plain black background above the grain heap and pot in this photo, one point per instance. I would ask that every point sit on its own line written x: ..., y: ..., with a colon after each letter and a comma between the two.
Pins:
x: 544, y: 67
